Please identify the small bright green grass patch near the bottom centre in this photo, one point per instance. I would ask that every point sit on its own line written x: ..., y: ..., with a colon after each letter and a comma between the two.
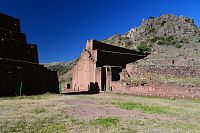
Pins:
x: 106, y: 122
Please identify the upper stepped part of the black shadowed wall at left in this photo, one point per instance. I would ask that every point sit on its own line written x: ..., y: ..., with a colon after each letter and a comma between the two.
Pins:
x: 13, y: 44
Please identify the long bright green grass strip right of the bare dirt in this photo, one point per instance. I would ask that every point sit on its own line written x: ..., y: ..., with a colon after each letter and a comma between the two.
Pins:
x: 145, y: 108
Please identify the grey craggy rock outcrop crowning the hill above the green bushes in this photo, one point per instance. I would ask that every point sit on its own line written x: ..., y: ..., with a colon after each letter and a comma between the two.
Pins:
x: 166, y: 25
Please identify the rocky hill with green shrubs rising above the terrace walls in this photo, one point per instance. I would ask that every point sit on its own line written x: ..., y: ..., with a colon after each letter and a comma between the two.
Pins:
x: 169, y: 39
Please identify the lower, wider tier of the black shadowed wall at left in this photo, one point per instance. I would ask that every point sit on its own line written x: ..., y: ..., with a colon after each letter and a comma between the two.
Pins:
x: 35, y: 78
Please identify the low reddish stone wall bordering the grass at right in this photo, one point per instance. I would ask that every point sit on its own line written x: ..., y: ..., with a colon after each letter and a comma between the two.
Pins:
x: 159, y: 90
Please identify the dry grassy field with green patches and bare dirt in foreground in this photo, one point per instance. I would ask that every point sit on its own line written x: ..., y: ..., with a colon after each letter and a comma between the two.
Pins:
x: 98, y: 113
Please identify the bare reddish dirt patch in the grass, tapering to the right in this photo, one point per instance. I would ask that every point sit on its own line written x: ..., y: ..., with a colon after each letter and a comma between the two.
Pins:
x: 87, y: 108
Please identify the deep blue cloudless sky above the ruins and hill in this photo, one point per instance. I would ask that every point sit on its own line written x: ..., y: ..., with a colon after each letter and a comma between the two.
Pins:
x: 61, y: 27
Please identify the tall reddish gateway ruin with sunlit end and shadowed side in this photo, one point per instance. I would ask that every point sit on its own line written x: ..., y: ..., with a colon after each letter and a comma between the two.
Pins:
x: 100, y: 65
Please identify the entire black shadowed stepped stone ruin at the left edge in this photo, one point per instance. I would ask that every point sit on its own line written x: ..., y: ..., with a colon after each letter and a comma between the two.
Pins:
x: 19, y: 65
